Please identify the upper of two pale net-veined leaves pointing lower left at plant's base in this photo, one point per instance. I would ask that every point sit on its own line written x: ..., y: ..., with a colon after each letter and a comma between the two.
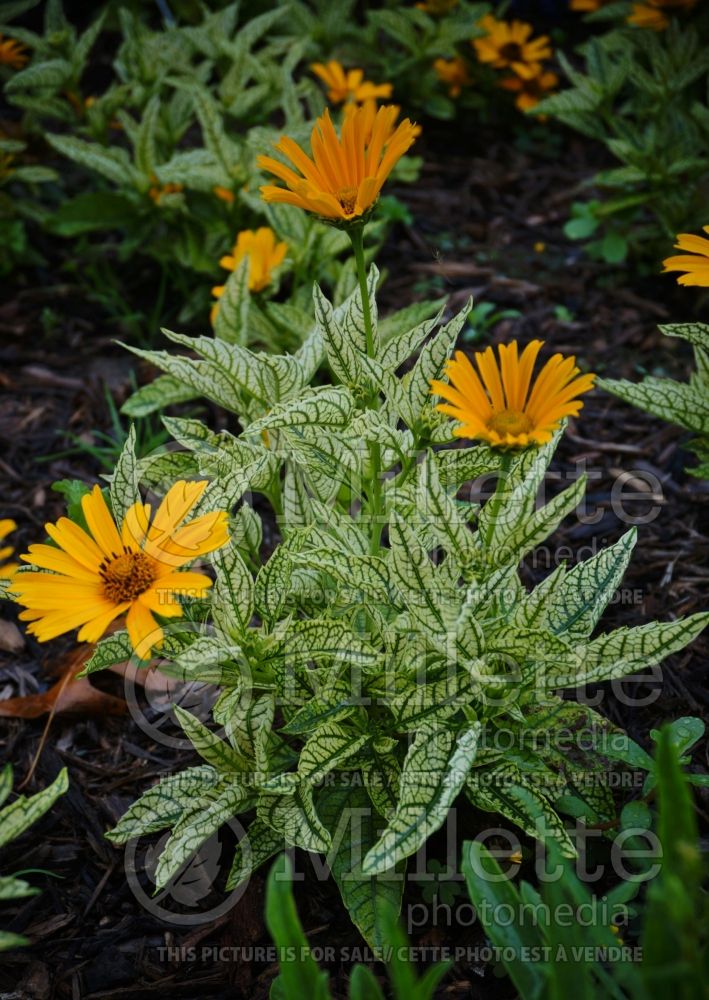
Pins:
x: 163, y: 804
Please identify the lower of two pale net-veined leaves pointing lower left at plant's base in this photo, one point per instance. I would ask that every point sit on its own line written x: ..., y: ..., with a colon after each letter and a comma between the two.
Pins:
x: 199, y: 821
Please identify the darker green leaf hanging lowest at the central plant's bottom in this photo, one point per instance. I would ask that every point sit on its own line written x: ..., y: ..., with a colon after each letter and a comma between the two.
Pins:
x: 354, y: 826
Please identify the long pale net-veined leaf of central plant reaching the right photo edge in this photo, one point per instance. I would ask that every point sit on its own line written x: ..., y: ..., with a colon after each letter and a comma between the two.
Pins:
x: 625, y: 650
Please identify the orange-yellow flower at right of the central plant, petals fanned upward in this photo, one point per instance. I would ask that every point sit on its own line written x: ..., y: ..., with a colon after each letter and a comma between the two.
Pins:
x: 498, y: 406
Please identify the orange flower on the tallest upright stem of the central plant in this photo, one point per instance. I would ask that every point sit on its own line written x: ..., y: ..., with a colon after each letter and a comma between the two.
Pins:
x: 342, y: 180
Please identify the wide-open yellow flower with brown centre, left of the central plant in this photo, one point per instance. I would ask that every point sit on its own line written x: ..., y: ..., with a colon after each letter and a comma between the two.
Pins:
x: 96, y: 575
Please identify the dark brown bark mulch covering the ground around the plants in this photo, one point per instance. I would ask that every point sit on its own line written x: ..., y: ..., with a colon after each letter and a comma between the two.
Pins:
x: 481, y: 214
